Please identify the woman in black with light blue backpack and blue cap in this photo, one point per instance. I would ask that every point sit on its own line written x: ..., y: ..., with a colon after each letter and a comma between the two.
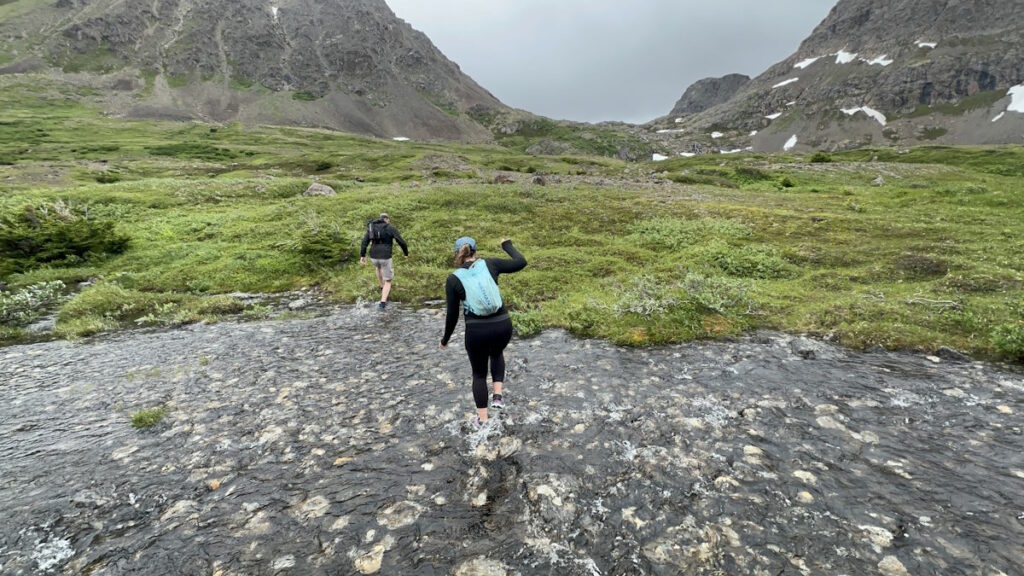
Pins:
x: 489, y: 328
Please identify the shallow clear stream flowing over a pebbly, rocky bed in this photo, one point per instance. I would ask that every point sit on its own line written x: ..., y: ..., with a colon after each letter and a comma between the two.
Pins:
x: 340, y: 445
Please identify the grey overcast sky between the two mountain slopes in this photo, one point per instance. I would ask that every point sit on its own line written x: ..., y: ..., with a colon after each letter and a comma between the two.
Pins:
x: 610, y: 60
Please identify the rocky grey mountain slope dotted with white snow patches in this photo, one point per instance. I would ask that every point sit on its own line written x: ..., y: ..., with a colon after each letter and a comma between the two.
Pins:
x: 881, y: 72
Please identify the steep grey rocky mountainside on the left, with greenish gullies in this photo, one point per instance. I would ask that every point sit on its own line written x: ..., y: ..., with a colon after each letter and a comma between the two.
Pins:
x: 349, y: 65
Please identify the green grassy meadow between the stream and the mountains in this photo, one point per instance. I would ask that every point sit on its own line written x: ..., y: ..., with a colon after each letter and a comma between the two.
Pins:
x: 166, y: 220
